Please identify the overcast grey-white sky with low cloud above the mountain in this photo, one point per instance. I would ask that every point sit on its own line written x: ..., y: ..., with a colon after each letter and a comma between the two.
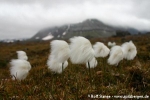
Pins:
x: 24, y: 18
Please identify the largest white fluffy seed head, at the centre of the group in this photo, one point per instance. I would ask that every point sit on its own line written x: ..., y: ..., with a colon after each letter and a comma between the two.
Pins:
x: 81, y: 50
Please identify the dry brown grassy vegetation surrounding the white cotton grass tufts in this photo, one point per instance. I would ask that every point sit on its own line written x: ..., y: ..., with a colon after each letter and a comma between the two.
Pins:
x: 129, y: 78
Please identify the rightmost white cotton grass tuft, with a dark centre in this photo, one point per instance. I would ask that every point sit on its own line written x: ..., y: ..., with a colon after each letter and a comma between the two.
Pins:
x: 129, y: 50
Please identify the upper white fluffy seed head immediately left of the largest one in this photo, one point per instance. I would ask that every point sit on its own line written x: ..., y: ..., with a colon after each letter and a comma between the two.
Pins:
x: 60, y: 50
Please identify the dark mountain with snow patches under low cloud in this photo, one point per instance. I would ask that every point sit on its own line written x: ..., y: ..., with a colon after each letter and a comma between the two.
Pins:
x: 89, y: 28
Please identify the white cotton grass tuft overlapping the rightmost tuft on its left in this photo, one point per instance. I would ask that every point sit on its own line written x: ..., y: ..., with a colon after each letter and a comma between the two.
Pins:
x: 116, y: 55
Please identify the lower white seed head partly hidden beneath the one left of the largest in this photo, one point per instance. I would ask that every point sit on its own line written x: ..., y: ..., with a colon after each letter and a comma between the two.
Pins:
x: 55, y: 66
